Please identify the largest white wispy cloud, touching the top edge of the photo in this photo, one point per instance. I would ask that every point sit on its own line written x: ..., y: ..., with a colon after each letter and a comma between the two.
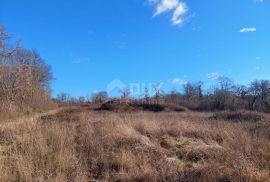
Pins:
x: 177, y: 7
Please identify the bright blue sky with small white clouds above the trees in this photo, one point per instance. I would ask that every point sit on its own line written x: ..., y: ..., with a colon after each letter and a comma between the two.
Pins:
x: 90, y: 43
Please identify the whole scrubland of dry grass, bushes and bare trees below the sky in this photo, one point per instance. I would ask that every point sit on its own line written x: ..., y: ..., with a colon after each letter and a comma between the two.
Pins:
x: 174, y: 136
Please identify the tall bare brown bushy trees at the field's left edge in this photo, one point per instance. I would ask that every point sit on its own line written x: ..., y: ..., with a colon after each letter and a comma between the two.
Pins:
x: 24, y: 78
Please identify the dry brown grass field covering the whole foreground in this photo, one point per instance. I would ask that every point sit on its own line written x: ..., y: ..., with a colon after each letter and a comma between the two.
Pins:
x: 86, y: 145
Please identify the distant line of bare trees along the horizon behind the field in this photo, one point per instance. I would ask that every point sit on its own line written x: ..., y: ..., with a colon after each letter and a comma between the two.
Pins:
x: 225, y: 95
